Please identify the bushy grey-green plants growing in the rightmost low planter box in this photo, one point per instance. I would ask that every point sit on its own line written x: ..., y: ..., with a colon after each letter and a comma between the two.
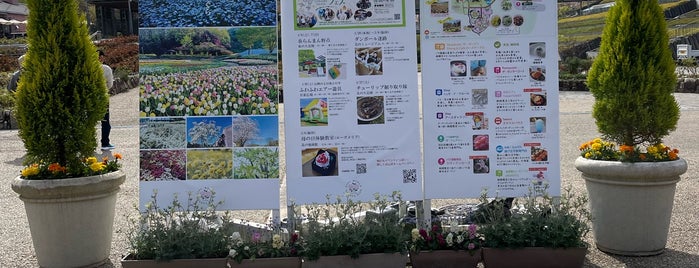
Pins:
x: 537, y: 220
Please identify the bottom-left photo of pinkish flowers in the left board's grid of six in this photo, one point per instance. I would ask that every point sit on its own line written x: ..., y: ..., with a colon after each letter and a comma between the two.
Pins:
x: 162, y: 165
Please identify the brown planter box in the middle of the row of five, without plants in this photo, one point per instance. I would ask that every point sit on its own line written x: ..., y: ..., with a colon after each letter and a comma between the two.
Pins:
x: 383, y: 260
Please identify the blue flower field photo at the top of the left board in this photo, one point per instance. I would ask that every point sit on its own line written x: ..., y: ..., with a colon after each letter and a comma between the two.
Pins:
x: 197, y: 13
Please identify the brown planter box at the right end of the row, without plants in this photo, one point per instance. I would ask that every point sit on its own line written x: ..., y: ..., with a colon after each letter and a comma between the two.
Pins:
x: 534, y: 257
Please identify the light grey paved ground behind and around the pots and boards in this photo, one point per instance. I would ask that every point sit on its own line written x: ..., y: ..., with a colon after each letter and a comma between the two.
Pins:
x: 576, y: 127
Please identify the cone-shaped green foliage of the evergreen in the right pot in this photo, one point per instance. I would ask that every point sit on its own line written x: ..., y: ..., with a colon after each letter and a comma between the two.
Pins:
x: 633, y: 77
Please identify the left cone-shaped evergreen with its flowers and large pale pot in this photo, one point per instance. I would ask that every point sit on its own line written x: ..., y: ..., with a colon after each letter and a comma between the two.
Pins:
x: 69, y: 195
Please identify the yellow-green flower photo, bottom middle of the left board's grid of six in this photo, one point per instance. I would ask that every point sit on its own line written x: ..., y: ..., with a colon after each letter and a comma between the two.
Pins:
x: 209, y: 164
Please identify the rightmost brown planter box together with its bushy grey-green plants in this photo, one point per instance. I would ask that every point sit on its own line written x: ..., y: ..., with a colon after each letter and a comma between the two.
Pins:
x: 537, y: 231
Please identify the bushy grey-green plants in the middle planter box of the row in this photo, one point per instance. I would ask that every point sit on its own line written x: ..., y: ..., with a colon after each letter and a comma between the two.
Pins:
x: 340, y: 228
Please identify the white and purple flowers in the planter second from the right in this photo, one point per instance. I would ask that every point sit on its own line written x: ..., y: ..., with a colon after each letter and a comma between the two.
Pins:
x: 438, y: 238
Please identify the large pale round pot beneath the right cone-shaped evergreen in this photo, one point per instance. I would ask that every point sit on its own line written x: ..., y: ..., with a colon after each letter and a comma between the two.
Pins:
x: 631, y: 203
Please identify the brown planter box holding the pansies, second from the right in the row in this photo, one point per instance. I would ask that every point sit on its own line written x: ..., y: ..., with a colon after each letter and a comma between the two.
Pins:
x: 445, y: 259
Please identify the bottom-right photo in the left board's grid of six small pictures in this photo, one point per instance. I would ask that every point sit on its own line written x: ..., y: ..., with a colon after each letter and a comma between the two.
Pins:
x: 256, y: 163
